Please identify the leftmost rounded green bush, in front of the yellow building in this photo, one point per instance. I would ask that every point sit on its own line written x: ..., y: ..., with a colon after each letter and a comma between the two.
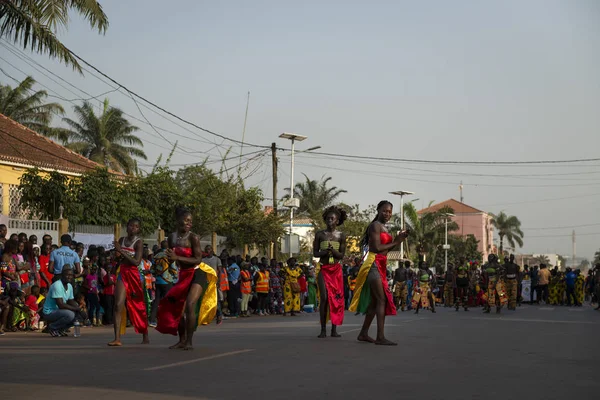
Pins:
x: 43, y: 194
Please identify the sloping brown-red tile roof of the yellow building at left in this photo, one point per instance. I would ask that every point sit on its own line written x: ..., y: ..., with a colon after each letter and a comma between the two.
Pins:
x: 20, y: 144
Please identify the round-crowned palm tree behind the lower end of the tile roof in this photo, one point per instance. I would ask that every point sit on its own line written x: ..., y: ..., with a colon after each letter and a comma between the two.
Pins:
x: 106, y: 139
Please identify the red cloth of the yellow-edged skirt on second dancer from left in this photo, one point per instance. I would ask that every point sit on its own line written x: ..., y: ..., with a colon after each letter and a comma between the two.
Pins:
x: 170, y: 308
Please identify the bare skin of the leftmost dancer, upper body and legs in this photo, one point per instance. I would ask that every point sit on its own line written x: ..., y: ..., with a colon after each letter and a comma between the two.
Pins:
x: 133, y: 230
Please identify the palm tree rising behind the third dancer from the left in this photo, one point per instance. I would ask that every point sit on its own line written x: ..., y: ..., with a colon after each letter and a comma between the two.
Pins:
x: 314, y: 197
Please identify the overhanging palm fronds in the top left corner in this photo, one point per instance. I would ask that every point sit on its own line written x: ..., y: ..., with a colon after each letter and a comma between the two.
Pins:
x: 34, y: 24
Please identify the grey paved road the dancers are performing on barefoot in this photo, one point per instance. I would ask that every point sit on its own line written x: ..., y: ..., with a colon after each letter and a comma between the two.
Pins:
x: 533, y: 353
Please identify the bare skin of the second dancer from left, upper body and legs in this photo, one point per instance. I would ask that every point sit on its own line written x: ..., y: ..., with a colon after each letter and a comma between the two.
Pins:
x: 183, y: 237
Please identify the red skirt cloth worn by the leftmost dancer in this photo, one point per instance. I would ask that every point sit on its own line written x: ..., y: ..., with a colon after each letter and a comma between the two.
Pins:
x: 136, y: 299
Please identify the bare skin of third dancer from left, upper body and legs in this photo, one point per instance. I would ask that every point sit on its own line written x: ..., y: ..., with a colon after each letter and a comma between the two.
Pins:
x: 331, y: 234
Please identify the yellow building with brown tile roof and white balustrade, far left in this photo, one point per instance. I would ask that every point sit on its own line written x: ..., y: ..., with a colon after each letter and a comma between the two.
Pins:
x: 21, y: 149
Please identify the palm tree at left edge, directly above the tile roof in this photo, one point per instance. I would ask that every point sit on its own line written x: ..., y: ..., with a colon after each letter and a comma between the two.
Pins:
x: 27, y: 107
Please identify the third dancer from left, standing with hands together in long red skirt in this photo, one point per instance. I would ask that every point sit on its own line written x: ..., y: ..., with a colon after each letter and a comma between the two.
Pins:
x: 329, y: 246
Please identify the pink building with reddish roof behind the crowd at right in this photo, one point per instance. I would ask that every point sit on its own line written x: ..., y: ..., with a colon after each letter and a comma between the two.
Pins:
x: 470, y: 221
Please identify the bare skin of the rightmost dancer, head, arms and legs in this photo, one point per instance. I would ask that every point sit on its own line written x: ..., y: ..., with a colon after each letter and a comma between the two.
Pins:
x: 378, y: 298
